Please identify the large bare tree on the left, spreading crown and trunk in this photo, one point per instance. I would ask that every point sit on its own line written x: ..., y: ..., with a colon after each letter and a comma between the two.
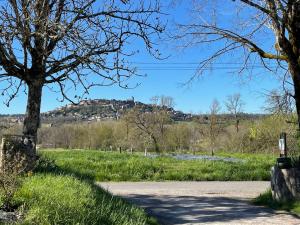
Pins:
x: 64, y: 44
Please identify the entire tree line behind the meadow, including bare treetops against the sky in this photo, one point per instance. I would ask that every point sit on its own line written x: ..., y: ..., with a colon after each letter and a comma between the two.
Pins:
x: 144, y: 130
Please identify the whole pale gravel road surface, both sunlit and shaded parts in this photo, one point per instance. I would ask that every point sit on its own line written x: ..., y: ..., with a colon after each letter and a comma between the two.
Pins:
x: 182, y: 203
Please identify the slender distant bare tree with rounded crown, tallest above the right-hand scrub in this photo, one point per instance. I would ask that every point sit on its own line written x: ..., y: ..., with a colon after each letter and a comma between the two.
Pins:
x: 234, y: 105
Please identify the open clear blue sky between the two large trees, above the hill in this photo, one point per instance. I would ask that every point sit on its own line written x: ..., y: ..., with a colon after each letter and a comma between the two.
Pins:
x: 166, y: 77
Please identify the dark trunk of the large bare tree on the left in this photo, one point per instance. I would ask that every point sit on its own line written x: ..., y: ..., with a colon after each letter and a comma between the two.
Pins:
x: 32, y: 116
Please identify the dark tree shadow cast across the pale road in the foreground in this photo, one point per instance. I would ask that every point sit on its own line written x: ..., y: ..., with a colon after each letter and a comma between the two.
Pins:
x: 204, y: 209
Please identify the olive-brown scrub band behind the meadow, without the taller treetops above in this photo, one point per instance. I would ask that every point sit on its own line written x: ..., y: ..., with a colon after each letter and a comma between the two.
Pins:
x: 154, y: 132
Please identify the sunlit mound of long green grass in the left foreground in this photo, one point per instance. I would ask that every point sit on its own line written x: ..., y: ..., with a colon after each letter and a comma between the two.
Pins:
x: 62, y: 199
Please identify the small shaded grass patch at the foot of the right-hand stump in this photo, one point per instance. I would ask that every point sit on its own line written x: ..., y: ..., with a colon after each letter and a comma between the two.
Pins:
x: 265, y: 199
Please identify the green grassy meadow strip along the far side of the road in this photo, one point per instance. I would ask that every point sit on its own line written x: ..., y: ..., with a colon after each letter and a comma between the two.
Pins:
x: 108, y: 166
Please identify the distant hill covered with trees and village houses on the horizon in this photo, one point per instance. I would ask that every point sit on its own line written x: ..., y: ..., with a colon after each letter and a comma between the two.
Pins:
x: 104, y: 109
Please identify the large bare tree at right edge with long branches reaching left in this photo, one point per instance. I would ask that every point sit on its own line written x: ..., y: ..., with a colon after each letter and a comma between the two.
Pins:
x: 249, y: 32
